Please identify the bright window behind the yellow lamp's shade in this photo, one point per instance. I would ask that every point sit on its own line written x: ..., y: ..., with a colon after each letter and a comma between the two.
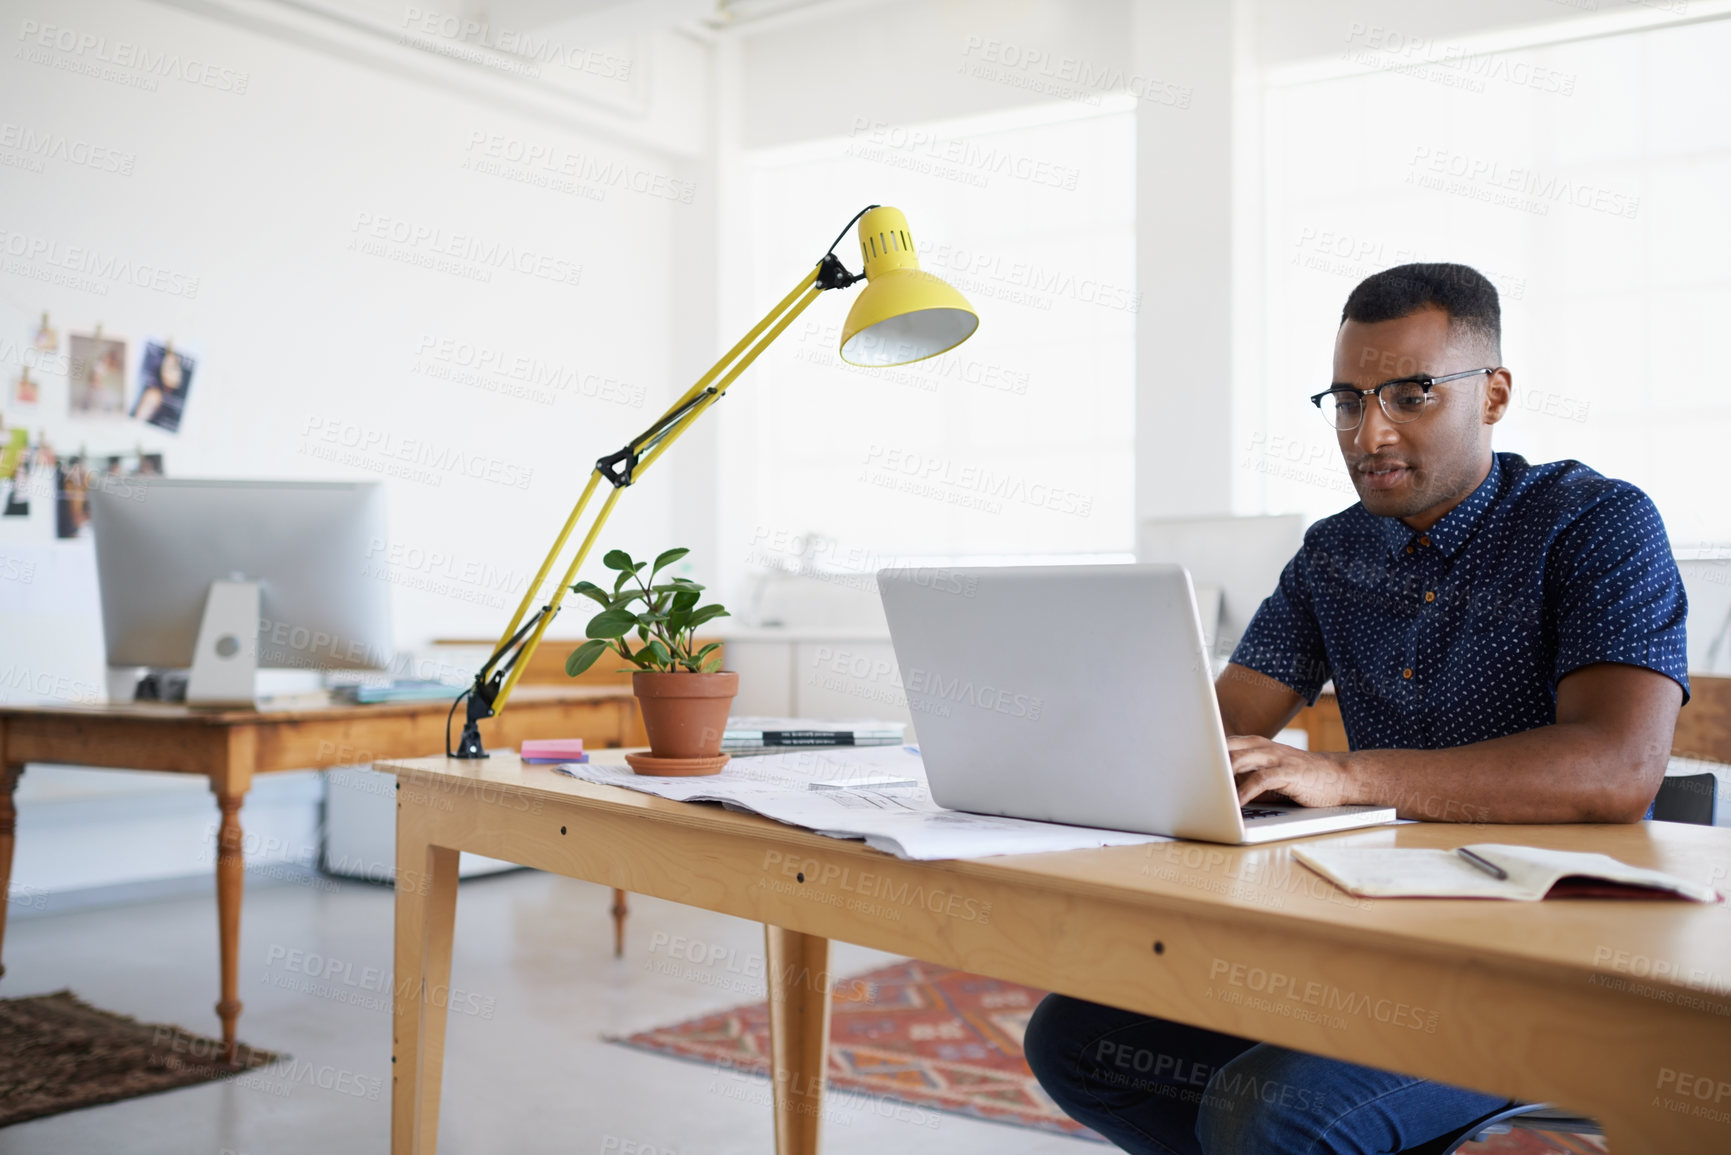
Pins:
x: 1015, y: 444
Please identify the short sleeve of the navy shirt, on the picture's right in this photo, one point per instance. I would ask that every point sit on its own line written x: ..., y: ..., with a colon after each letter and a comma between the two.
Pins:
x: 1618, y: 591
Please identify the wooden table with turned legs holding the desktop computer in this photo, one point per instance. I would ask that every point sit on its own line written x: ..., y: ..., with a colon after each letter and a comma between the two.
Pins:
x: 231, y: 745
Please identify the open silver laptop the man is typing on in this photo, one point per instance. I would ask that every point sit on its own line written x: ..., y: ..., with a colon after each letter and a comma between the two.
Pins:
x: 1078, y: 695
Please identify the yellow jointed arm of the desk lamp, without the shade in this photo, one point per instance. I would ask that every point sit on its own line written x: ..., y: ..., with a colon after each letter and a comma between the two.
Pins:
x: 499, y: 674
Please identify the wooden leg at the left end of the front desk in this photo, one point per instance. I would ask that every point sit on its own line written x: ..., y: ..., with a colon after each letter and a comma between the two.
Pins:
x: 427, y: 910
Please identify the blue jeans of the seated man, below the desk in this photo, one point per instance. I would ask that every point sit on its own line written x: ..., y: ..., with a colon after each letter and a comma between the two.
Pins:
x: 1164, y: 1088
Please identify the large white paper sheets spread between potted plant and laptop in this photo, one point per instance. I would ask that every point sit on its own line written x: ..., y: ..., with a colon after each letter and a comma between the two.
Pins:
x: 903, y: 822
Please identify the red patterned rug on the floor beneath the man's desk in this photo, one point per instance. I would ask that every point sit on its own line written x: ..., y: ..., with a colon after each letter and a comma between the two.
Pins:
x: 944, y: 1040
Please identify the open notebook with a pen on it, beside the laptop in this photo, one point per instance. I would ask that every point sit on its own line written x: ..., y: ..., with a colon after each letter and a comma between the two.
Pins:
x: 1533, y: 875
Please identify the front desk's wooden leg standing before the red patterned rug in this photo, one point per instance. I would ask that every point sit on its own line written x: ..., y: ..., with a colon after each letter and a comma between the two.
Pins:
x: 799, y: 1035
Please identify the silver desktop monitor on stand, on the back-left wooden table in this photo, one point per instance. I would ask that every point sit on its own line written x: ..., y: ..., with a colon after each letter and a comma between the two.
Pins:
x: 228, y: 577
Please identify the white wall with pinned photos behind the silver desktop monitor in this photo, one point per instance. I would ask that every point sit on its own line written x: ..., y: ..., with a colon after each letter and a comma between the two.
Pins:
x: 266, y: 188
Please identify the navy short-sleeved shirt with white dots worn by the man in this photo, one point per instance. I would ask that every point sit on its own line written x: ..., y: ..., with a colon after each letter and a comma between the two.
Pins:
x: 1462, y: 633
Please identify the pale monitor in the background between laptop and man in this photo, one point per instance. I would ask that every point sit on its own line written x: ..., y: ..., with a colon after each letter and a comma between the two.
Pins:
x: 1233, y: 562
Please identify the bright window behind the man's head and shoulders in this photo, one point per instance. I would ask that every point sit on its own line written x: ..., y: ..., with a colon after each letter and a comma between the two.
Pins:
x: 1590, y: 181
